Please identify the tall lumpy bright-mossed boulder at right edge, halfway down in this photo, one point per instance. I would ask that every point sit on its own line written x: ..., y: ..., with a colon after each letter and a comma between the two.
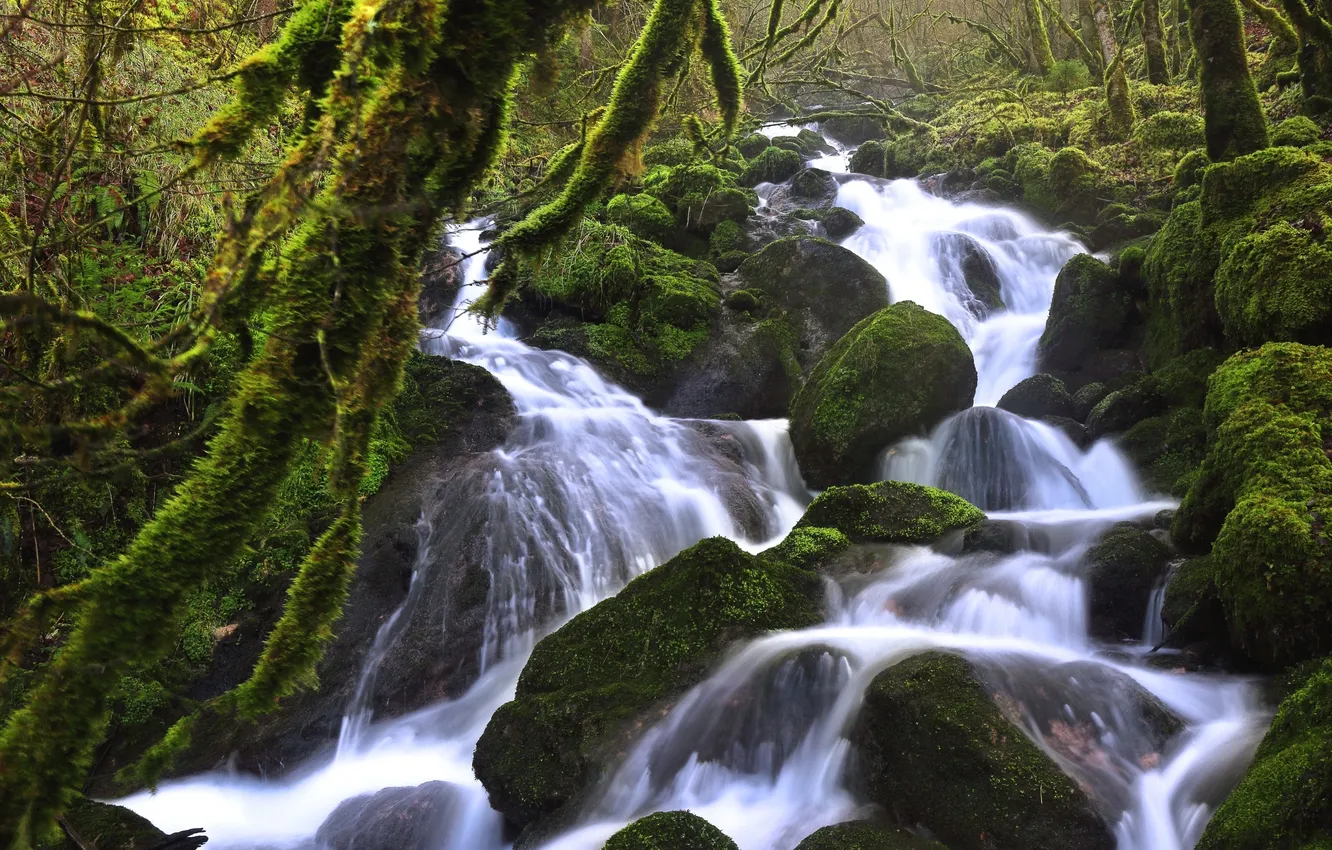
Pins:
x: 1263, y: 498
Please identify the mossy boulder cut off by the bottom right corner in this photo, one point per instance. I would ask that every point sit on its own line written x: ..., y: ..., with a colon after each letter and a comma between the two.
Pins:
x: 1285, y: 801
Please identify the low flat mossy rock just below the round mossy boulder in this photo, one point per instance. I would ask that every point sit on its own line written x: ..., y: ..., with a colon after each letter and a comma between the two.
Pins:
x: 889, y: 512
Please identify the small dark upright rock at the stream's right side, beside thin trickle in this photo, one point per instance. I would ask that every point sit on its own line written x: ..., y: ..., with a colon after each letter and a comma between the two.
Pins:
x: 1122, y: 571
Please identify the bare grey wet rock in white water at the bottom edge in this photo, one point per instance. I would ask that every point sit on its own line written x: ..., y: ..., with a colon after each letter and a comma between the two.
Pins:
x: 396, y: 819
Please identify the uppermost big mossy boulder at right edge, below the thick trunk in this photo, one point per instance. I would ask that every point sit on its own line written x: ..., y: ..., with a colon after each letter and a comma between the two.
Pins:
x: 1246, y: 263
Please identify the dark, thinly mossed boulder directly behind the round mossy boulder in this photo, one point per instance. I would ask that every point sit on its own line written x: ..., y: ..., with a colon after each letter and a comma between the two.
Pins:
x: 824, y: 290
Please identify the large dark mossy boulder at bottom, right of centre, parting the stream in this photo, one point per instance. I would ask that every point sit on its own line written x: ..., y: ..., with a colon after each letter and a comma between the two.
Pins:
x: 937, y: 751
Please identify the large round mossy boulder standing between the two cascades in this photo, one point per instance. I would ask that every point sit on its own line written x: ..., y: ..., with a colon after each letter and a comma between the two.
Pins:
x: 897, y: 374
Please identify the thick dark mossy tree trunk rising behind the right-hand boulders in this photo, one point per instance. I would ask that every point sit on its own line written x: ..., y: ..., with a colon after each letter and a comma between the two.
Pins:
x: 1235, y: 121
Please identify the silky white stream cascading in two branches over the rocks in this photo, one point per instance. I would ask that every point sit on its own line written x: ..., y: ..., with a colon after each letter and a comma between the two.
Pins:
x: 592, y: 490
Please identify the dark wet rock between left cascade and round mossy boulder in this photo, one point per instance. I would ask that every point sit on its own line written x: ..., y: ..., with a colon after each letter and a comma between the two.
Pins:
x: 748, y: 368
